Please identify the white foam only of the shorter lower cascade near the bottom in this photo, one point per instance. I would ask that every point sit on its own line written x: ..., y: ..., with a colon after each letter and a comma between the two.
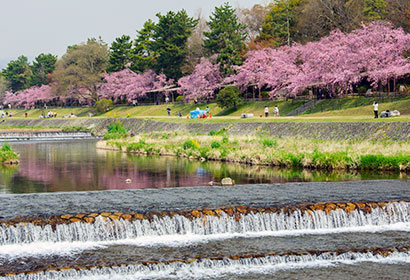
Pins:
x: 218, y: 268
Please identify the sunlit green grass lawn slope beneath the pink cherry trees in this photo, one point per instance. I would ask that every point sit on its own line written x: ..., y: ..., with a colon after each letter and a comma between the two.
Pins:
x: 159, y: 112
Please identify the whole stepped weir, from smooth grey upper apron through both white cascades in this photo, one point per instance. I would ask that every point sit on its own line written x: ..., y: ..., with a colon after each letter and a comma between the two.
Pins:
x: 288, y: 231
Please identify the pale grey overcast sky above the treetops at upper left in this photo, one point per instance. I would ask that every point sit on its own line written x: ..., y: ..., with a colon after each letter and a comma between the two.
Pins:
x: 31, y: 27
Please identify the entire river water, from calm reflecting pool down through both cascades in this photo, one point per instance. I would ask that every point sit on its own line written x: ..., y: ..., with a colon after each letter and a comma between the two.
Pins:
x: 192, y: 233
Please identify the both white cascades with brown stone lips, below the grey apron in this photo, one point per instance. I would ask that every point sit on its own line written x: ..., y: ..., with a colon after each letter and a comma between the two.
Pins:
x: 75, y: 233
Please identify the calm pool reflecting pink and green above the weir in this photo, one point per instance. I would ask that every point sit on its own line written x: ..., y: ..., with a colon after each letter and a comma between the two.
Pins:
x: 78, y: 166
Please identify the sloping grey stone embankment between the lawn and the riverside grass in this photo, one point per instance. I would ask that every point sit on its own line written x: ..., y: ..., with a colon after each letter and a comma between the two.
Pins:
x: 318, y: 130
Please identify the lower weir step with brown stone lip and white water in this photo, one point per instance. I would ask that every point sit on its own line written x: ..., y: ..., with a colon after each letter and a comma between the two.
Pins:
x: 217, y: 266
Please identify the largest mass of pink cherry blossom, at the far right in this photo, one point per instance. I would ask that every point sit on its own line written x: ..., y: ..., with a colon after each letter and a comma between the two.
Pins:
x: 338, y: 61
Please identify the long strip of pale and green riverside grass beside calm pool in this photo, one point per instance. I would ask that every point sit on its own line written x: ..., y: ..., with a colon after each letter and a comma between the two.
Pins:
x: 278, y: 151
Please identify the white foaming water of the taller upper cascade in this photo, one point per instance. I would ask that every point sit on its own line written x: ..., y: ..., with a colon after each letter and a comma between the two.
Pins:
x: 180, y: 231
